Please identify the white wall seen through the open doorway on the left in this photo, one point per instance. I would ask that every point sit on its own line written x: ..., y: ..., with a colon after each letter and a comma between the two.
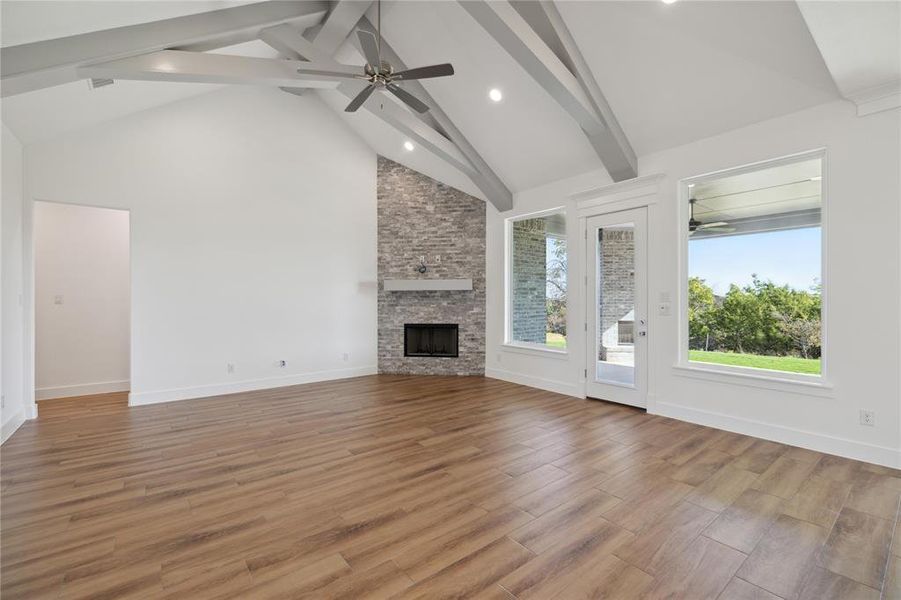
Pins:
x: 81, y: 268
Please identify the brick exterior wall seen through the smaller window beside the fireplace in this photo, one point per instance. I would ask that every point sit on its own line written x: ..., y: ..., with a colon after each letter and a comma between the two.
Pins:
x: 529, y: 281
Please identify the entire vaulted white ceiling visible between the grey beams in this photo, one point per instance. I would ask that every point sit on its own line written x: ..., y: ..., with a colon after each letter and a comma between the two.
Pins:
x: 671, y: 73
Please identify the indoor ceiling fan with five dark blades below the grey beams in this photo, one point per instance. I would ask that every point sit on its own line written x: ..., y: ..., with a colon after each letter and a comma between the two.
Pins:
x: 381, y: 74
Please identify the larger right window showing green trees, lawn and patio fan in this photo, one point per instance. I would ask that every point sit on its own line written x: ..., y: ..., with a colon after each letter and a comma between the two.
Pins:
x: 754, y: 290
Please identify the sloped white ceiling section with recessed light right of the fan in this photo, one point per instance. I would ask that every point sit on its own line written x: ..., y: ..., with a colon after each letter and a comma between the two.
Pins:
x: 527, y: 138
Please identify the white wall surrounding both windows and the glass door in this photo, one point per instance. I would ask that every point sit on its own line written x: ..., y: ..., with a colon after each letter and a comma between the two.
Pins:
x: 863, y: 178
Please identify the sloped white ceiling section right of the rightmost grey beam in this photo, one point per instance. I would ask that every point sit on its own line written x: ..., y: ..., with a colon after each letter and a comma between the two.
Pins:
x: 674, y: 73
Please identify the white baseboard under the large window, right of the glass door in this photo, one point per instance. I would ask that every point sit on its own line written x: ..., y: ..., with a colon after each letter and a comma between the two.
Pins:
x: 880, y: 455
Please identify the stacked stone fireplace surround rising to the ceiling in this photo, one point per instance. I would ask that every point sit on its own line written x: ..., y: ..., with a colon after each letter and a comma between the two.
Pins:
x: 418, y: 216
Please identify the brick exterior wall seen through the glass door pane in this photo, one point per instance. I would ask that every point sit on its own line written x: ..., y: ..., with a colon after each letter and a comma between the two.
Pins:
x: 617, y: 284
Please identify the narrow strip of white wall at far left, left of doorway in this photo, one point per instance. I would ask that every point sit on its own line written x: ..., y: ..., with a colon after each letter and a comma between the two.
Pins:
x: 15, y: 409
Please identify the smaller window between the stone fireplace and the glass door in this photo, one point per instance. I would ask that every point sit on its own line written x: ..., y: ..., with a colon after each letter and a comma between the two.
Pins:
x: 537, y: 281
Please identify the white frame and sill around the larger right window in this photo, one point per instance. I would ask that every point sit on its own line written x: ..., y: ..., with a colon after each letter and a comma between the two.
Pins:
x: 753, y: 375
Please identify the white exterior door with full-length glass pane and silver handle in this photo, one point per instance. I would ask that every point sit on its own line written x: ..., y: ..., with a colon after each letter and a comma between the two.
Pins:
x: 617, y: 319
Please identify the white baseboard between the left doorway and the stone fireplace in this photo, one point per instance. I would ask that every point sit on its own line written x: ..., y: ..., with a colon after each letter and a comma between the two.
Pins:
x: 248, y: 385
